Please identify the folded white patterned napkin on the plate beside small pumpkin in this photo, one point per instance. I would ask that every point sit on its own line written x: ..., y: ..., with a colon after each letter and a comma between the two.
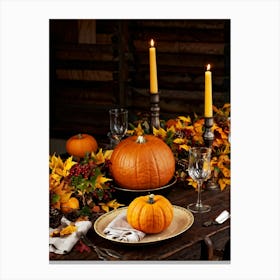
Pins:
x: 119, y: 229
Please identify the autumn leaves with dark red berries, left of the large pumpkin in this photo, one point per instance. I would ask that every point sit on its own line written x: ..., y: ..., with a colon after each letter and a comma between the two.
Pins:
x: 80, y: 188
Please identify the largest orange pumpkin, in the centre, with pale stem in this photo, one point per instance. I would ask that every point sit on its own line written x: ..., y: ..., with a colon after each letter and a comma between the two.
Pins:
x: 141, y: 163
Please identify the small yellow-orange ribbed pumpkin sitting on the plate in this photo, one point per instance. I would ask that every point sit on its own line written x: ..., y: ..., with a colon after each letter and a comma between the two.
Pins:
x: 150, y: 213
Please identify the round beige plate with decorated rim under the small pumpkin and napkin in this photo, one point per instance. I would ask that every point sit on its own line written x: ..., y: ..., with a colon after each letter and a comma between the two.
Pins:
x: 182, y: 221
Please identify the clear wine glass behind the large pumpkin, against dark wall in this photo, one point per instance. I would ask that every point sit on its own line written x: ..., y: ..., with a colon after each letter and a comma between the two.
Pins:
x: 118, y: 124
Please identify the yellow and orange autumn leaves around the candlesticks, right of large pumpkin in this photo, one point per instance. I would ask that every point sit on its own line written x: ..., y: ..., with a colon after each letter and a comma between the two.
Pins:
x: 184, y: 132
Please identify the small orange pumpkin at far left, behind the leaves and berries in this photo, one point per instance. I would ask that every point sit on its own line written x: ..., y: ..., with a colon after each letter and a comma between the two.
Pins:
x: 79, y: 145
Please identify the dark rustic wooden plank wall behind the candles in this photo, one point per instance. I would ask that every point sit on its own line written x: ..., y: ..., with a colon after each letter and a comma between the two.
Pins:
x: 99, y: 64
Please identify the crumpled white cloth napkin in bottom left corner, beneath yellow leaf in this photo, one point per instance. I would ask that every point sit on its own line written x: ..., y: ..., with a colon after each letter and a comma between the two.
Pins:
x: 63, y: 245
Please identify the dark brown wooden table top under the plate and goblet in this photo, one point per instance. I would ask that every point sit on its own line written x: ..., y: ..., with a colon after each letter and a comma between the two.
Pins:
x: 197, y: 243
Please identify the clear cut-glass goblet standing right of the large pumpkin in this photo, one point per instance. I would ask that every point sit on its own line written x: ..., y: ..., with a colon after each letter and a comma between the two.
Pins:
x: 199, y: 168
